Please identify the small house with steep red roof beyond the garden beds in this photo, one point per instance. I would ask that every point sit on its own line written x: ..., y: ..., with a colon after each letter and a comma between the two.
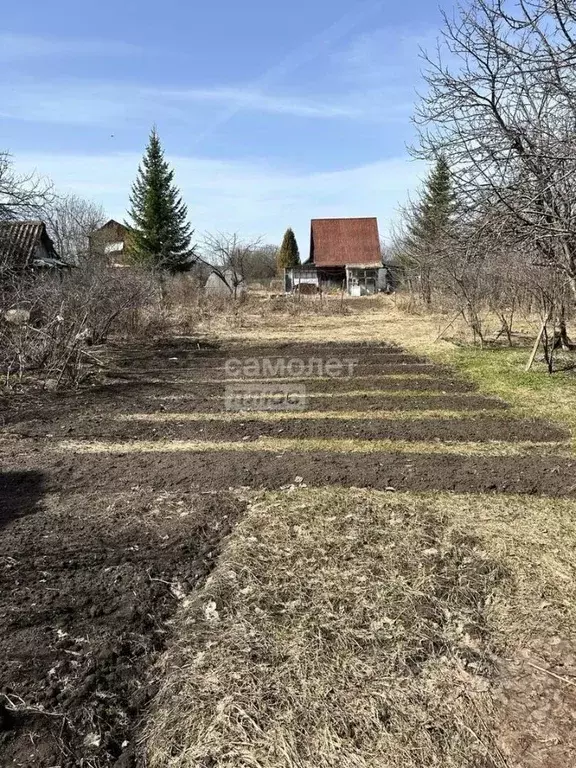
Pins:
x: 344, y: 253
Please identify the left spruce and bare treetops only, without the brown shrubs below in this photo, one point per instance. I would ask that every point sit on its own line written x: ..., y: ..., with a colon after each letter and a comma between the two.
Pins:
x: 161, y: 239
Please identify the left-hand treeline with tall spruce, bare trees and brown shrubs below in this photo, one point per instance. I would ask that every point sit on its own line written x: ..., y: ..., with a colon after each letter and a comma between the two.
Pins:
x: 51, y: 319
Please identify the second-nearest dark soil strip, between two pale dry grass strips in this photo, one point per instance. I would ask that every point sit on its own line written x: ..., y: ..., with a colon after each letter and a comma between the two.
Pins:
x: 427, y: 430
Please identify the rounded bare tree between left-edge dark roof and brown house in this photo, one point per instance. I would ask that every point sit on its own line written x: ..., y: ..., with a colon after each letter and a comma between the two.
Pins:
x: 71, y: 220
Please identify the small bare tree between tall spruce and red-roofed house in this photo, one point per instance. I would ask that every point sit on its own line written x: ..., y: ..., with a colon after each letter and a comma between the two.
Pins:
x: 229, y: 257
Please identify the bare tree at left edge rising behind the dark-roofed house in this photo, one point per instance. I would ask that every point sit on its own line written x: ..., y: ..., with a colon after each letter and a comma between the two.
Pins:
x: 21, y: 196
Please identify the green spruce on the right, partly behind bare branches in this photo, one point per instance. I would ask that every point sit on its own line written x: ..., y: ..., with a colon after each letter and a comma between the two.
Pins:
x: 429, y: 227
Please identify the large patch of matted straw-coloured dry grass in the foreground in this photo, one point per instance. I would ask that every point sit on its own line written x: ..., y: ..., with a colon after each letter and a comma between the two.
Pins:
x: 356, y: 628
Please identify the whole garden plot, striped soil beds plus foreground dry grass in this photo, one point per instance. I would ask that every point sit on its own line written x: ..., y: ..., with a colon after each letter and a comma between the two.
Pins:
x: 115, y: 503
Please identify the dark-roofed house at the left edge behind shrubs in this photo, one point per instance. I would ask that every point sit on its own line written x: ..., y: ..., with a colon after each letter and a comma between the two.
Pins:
x: 26, y: 245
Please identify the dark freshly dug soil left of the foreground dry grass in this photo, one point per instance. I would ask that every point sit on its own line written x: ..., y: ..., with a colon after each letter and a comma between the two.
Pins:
x: 84, y: 600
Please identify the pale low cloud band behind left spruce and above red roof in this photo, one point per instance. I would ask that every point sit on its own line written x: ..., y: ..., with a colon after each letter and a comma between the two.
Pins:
x: 249, y: 197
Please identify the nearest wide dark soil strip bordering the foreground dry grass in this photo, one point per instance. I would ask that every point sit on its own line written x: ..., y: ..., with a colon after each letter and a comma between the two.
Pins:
x: 550, y: 476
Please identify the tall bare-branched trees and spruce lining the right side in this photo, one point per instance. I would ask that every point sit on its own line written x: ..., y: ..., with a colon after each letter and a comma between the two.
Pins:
x: 494, y: 231
